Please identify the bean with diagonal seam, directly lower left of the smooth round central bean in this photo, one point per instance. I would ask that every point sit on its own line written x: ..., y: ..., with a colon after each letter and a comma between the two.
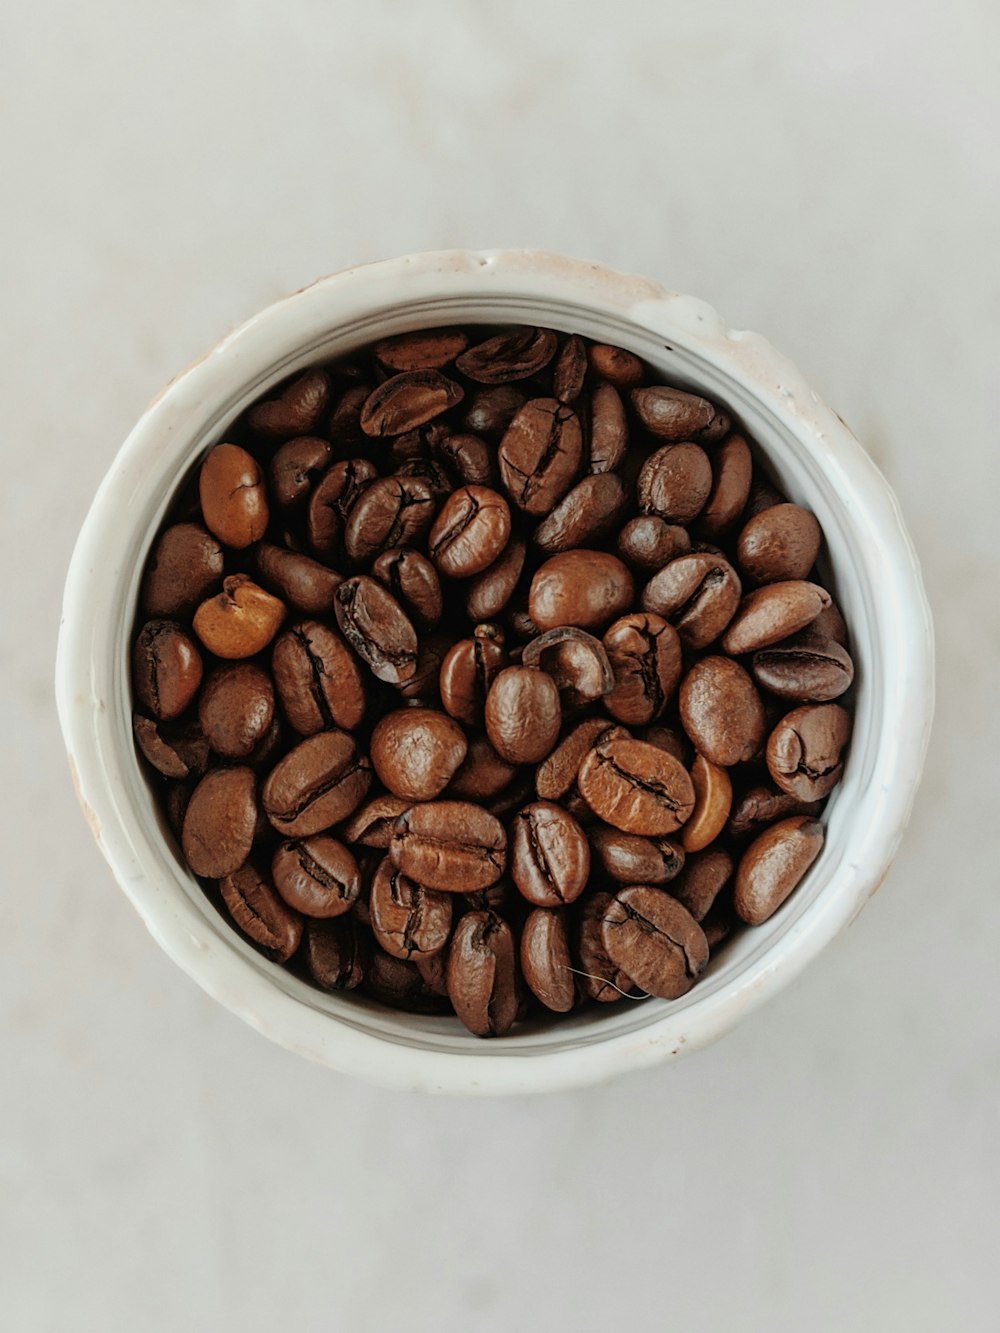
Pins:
x: 318, y: 784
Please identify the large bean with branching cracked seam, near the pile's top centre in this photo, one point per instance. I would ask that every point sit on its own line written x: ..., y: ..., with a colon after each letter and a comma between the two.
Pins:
x: 541, y: 455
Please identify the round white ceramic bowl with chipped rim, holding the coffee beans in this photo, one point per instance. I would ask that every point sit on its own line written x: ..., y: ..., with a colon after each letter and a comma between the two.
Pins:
x: 871, y: 567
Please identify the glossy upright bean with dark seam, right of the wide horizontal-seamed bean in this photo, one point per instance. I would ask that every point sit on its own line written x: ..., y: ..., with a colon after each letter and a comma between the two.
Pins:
x: 550, y: 855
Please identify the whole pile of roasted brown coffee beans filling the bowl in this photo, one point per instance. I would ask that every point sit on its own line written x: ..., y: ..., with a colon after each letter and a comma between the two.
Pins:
x: 486, y: 672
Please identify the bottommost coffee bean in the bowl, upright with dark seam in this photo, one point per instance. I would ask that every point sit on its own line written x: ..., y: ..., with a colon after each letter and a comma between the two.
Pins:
x: 482, y: 975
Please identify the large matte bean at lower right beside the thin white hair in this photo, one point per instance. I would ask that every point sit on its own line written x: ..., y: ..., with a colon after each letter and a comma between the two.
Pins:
x: 655, y: 940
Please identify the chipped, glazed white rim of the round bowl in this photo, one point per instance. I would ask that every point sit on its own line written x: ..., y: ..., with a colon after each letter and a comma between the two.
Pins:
x: 82, y: 686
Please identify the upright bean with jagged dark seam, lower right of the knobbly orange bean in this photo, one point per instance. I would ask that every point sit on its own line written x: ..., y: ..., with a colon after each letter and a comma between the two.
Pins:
x: 318, y: 679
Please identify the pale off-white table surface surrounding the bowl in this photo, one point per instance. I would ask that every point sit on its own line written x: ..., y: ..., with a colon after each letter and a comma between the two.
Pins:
x: 823, y: 173
